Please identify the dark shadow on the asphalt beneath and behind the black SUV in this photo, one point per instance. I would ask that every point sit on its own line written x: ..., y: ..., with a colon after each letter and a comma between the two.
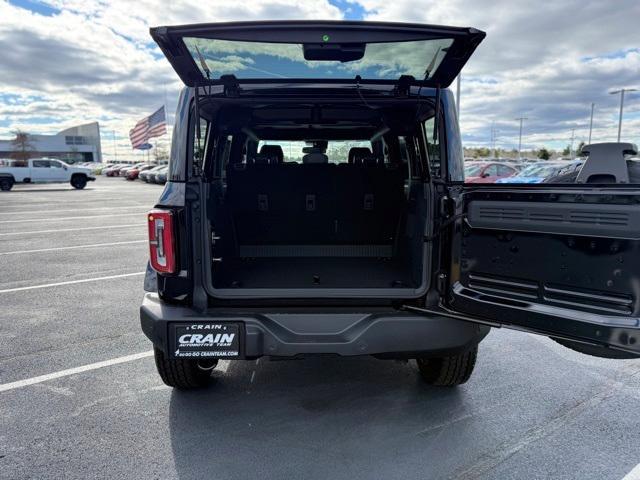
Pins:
x: 312, y: 418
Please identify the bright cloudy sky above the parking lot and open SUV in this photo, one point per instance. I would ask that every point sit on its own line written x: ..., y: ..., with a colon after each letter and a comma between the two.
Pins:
x: 66, y: 62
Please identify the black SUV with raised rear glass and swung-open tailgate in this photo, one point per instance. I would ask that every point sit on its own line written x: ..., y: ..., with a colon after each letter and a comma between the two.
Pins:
x: 315, y: 205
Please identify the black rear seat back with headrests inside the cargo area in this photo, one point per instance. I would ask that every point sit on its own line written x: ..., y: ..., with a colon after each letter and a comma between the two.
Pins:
x: 315, y: 203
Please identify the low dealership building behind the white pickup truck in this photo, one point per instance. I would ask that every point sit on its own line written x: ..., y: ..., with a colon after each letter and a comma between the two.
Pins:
x: 75, y: 144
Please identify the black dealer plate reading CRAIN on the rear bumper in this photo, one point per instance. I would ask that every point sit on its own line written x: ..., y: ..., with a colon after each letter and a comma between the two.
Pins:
x: 206, y: 340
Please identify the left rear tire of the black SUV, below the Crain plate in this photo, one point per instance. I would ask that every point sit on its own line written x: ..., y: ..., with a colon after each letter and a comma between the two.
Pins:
x: 184, y: 374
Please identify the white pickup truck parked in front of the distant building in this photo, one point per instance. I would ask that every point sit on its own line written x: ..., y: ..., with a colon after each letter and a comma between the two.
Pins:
x: 42, y: 170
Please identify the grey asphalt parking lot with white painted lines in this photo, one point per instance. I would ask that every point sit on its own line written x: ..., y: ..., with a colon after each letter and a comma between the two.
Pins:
x: 71, y: 266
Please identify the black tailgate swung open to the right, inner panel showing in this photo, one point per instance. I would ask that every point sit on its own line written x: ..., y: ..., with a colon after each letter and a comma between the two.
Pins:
x: 565, y: 263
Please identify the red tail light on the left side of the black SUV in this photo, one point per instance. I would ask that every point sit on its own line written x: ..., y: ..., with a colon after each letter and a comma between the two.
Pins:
x: 162, y: 249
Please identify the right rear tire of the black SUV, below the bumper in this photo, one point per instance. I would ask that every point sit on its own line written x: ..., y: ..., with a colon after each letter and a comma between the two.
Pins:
x: 448, y: 371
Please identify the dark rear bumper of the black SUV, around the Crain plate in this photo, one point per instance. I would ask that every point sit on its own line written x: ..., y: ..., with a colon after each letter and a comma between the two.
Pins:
x: 393, y: 333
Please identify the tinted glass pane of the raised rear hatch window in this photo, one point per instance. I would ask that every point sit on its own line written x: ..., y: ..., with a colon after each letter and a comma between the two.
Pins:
x: 287, y: 60
